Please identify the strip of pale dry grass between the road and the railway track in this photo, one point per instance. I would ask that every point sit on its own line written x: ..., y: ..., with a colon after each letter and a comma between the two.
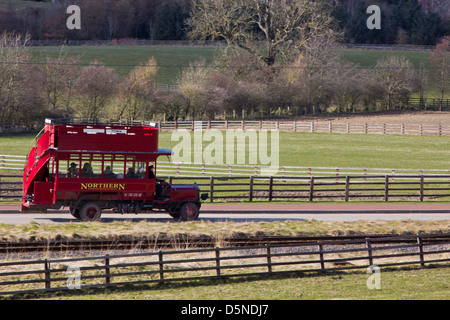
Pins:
x: 217, y: 230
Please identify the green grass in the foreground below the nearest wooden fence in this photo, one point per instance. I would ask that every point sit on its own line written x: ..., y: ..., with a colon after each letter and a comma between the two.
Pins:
x: 396, y: 284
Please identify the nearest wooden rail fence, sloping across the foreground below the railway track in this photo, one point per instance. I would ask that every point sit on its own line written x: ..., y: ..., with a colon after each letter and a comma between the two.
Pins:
x: 219, y: 263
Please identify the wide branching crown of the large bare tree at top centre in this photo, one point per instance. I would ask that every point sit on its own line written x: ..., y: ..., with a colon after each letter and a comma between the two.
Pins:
x: 266, y: 29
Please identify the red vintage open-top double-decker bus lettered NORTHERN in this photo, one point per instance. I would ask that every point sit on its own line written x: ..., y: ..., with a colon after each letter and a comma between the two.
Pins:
x: 89, y: 166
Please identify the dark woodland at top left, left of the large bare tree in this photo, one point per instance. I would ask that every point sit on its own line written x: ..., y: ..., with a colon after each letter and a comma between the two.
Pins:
x: 100, y: 20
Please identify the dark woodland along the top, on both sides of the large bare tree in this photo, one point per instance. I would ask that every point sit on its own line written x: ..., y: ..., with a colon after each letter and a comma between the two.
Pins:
x: 402, y: 21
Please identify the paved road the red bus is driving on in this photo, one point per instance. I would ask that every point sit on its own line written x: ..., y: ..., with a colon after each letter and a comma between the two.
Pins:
x: 10, y: 214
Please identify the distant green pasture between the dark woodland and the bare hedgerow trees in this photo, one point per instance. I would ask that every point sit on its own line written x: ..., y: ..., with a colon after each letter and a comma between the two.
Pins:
x: 171, y: 59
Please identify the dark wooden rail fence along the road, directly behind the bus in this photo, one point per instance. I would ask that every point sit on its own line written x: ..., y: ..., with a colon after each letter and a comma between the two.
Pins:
x: 309, y: 188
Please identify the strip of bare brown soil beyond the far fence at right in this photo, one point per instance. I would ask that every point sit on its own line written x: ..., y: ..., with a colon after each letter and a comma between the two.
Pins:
x: 411, y: 117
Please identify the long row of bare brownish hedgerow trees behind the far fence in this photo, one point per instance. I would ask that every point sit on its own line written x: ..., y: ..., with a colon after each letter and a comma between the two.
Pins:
x: 236, y: 83
